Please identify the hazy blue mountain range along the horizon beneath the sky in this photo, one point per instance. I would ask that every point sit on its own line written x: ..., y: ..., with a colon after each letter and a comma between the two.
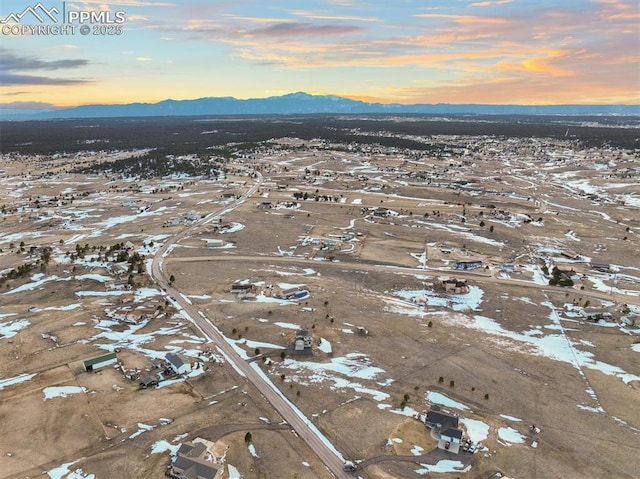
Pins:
x: 303, y: 103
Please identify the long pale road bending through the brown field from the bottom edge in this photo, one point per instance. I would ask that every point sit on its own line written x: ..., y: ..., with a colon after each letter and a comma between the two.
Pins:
x: 306, y: 430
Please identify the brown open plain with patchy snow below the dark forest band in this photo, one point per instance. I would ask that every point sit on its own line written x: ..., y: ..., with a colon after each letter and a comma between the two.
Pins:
x: 535, y: 347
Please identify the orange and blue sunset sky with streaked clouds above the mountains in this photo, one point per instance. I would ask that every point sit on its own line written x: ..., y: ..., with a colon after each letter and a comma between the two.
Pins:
x: 428, y: 51
